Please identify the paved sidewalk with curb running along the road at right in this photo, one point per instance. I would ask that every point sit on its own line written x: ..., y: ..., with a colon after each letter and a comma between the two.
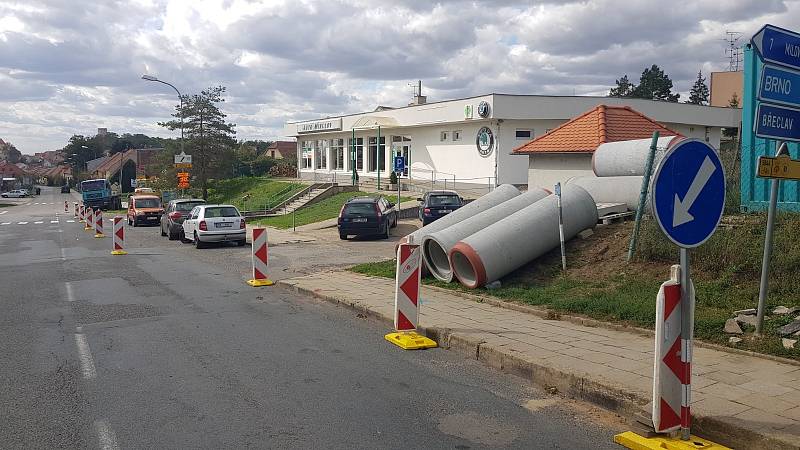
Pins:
x: 739, y: 400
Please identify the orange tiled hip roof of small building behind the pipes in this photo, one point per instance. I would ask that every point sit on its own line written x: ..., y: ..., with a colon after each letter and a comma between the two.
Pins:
x: 597, y: 126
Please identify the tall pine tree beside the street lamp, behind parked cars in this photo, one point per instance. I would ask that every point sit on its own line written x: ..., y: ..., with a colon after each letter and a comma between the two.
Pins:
x: 209, y: 138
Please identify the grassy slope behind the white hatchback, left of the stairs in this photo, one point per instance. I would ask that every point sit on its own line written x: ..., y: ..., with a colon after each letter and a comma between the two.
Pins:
x: 262, y: 192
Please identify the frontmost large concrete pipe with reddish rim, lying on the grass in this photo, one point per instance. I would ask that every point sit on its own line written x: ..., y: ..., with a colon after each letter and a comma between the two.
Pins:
x: 521, y: 237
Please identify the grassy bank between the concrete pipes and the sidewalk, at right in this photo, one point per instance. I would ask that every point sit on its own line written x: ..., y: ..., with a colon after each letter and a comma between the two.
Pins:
x: 600, y: 285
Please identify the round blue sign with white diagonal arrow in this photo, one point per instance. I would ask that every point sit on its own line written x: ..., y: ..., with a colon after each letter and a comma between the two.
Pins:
x: 688, y: 192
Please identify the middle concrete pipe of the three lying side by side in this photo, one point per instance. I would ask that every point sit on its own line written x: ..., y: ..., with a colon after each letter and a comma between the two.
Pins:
x: 436, y: 246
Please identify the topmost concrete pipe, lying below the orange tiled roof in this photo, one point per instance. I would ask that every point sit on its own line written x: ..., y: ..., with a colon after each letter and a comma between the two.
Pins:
x: 627, y: 158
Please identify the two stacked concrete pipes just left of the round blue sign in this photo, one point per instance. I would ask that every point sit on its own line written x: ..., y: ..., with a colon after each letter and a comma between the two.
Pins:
x: 619, y: 169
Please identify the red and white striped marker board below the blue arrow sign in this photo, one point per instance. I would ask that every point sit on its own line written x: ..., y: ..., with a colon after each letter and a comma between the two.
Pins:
x: 673, y: 369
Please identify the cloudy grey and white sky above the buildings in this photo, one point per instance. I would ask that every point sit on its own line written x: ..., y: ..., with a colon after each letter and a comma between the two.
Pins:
x: 70, y: 67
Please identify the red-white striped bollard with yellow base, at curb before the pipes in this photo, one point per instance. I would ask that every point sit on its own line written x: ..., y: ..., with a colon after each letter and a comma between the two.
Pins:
x: 406, y: 301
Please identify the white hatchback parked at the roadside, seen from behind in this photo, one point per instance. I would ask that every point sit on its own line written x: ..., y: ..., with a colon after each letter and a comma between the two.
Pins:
x: 214, y: 223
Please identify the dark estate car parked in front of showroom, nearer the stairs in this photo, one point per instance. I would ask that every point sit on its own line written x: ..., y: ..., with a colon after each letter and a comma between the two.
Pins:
x: 367, y: 216
